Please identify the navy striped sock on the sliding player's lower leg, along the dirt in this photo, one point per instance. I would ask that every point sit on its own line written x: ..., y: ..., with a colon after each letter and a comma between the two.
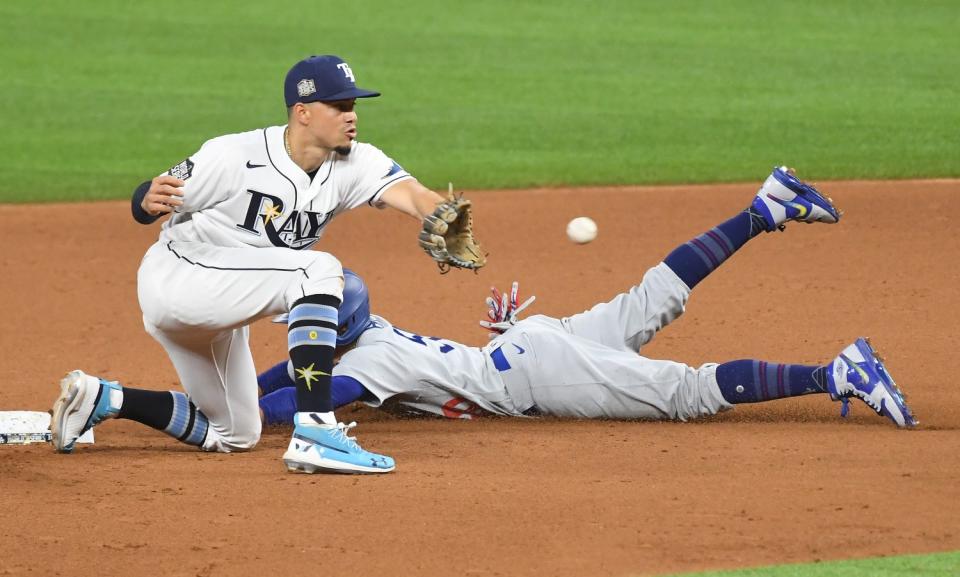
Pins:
x: 750, y: 381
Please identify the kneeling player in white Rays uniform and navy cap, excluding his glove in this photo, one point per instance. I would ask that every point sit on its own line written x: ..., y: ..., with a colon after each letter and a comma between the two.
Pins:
x: 245, y: 209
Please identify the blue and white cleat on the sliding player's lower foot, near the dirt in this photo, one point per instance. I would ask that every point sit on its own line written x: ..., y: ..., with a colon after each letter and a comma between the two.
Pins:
x: 859, y: 372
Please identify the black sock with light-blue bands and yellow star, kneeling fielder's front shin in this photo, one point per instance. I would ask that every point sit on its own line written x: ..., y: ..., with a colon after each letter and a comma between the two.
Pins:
x: 311, y: 340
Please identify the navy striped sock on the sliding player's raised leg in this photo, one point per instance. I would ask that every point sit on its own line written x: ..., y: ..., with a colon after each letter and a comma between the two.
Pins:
x: 697, y: 258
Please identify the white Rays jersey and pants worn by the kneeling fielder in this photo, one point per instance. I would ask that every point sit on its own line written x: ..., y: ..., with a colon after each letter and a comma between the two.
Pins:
x: 236, y: 251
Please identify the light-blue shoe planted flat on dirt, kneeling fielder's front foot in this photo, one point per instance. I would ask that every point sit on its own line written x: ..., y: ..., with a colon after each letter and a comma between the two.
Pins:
x: 318, y: 447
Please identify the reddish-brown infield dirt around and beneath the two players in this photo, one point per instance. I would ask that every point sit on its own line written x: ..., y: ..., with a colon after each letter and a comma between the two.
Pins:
x: 787, y: 481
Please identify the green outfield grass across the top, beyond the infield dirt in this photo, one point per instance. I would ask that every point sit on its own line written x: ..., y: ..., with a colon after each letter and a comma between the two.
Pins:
x: 100, y: 95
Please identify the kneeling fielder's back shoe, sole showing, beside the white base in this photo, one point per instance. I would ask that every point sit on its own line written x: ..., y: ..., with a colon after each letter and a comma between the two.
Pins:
x: 83, y: 403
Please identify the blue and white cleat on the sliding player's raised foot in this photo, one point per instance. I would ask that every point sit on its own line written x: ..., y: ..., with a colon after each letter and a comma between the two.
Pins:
x: 784, y: 197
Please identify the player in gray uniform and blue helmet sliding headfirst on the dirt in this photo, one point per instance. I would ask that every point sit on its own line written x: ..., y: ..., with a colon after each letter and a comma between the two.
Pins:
x: 587, y: 365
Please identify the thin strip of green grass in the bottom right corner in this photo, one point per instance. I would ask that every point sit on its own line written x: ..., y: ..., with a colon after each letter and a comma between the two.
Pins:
x: 939, y: 565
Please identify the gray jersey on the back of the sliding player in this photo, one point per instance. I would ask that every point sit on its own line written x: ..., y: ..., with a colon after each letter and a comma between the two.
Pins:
x: 452, y: 380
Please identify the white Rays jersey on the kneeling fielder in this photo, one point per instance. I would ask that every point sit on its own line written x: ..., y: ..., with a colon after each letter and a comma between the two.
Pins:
x: 244, y: 190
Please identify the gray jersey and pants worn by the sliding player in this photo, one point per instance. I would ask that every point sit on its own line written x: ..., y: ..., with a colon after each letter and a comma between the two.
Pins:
x: 586, y: 365
